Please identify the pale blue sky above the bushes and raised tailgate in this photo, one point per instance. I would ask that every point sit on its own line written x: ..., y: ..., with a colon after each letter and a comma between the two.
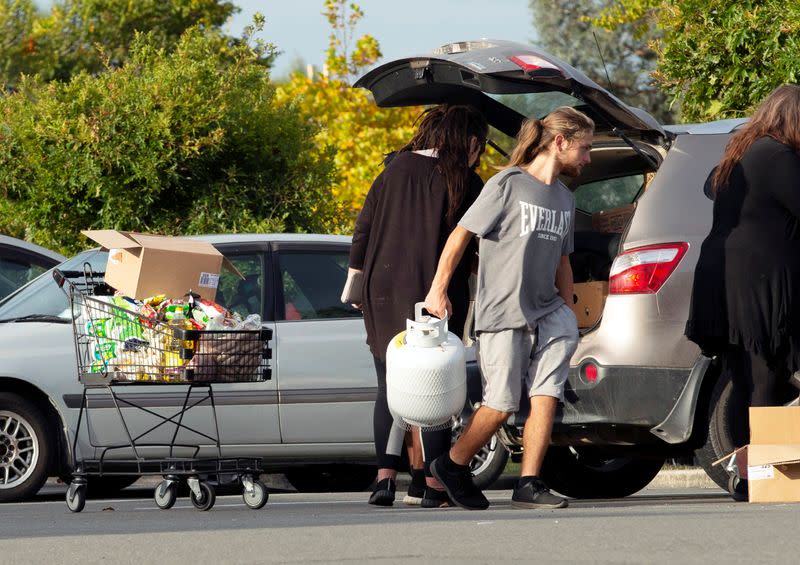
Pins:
x: 403, y: 28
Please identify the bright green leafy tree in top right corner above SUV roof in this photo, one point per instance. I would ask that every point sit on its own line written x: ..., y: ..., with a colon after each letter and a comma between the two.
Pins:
x: 717, y: 58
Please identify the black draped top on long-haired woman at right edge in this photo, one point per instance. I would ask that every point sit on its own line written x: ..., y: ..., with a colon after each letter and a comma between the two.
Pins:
x: 752, y: 259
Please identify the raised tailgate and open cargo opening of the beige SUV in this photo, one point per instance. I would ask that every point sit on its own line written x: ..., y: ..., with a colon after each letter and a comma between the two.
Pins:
x: 511, y: 81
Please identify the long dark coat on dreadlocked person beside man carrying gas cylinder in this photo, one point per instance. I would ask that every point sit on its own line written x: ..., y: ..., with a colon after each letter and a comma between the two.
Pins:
x: 398, y: 238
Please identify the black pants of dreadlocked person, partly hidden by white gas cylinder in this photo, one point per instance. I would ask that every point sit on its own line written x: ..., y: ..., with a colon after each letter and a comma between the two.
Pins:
x: 434, y: 443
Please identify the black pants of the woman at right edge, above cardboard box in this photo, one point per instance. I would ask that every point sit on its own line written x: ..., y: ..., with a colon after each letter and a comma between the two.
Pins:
x: 757, y: 381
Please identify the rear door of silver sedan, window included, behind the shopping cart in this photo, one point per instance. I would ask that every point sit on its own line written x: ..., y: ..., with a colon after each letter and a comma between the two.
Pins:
x: 326, y: 377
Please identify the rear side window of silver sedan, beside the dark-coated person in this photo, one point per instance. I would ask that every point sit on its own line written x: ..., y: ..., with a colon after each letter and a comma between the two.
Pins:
x: 312, y: 283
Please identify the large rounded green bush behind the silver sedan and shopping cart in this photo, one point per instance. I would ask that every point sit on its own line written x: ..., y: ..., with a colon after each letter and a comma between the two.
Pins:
x: 183, y: 141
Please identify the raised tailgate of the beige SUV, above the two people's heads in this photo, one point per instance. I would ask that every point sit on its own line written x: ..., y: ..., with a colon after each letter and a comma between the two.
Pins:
x: 476, y: 72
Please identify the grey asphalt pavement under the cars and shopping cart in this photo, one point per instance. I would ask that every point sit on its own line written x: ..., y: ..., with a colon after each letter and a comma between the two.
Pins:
x: 698, y: 525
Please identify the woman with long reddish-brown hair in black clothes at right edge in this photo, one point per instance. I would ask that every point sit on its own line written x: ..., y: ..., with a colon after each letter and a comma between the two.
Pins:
x: 745, y: 305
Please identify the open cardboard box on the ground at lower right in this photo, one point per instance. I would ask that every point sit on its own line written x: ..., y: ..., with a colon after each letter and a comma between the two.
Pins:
x: 771, y: 461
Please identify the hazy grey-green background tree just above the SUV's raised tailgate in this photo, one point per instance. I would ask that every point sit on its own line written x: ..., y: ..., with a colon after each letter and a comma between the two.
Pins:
x: 566, y: 29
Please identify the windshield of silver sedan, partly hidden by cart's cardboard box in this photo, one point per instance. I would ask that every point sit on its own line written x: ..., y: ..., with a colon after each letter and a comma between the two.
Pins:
x: 42, y: 297
